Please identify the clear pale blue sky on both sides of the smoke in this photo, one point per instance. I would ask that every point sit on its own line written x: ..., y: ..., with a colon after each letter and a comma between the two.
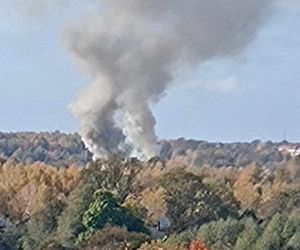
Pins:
x: 254, y: 96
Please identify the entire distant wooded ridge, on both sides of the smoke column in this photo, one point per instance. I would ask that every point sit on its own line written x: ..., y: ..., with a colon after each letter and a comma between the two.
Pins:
x: 60, y: 149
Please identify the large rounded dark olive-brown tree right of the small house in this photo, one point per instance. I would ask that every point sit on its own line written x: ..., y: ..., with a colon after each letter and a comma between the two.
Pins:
x: 190, y: 202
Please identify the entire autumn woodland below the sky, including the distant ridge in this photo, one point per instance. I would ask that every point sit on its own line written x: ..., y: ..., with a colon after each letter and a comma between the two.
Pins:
x: 169, y: 203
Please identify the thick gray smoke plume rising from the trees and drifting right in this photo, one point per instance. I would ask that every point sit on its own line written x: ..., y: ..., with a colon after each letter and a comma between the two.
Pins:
x: 134, y: 48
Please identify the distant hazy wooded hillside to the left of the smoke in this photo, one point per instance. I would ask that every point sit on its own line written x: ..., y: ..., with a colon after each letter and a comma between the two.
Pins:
x: 57, y: 149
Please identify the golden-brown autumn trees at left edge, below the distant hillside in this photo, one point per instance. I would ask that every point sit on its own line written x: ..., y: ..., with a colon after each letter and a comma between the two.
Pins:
x: 25, y: 187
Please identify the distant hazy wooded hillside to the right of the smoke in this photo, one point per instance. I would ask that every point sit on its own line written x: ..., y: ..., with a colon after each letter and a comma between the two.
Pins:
x: 202, y: 153
